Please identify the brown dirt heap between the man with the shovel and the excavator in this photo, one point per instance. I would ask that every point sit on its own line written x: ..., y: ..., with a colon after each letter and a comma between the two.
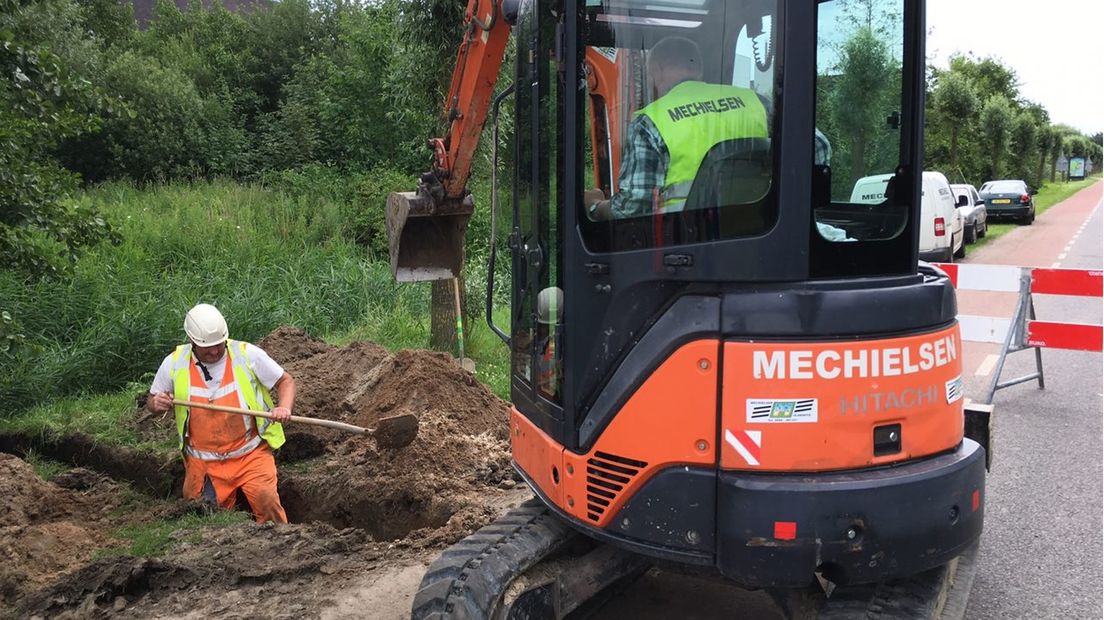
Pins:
x: 436, y: 490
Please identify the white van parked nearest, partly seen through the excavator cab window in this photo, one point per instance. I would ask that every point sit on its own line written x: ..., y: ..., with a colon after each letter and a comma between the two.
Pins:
x: 941, y: 226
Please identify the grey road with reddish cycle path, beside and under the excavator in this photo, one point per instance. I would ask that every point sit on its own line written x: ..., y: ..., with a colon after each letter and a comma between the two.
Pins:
x: 1042, y: 554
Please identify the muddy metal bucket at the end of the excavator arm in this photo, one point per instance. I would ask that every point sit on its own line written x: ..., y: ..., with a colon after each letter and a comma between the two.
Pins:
x: 426, y: 237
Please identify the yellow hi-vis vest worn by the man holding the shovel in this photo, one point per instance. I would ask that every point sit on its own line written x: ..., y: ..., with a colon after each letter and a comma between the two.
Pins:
x: 248, y: 388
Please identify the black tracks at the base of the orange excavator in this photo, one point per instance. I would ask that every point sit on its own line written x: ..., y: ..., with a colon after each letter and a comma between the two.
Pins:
x: 530, y: 564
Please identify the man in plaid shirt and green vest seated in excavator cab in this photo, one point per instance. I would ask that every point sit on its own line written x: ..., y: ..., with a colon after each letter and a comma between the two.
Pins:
x: 668, y: 140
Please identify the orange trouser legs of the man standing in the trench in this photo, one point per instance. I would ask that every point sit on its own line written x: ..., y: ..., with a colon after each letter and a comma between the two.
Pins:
x: 254, y: 474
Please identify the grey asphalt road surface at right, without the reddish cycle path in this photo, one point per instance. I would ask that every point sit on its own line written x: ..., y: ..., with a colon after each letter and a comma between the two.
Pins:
x: 1041, y: 554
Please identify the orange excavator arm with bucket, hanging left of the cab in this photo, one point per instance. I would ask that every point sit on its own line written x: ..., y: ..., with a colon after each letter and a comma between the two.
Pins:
x: 427, y: 228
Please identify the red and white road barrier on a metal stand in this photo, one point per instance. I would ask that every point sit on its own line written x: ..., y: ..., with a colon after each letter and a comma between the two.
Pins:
x: 1023, y: 330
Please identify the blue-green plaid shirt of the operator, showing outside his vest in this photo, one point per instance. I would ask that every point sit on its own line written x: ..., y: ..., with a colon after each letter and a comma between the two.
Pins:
x: 645, y: 162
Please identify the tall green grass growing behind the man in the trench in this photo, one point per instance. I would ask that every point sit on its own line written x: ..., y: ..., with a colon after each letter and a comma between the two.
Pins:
x: 266, y: 259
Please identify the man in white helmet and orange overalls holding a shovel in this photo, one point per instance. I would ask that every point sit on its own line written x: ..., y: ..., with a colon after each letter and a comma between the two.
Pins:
x: 226, y: 453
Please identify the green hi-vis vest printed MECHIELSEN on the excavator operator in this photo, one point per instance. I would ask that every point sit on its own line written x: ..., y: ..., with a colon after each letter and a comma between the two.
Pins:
x: 693, y: 119
